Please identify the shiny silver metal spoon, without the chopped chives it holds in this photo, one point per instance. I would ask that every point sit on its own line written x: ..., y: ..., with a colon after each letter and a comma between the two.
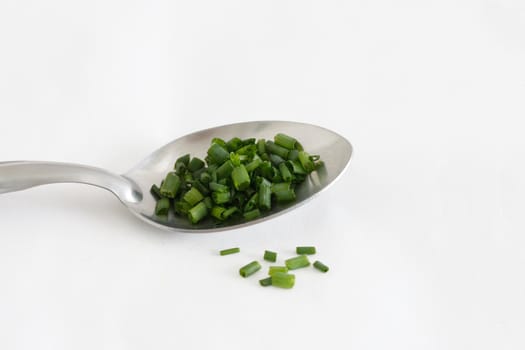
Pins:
x: 132, y: 188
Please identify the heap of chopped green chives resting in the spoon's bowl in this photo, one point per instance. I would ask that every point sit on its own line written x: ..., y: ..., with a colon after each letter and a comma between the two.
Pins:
x: 237, y: 179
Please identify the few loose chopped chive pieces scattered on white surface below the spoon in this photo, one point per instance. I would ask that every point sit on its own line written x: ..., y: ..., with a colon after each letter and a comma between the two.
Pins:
x: 279, y: 276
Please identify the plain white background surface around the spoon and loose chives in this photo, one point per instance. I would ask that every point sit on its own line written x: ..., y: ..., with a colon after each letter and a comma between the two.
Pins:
x: 424, y: 233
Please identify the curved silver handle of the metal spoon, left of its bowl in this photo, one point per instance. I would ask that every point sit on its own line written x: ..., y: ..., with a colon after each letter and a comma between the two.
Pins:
x: 20, y: 175
